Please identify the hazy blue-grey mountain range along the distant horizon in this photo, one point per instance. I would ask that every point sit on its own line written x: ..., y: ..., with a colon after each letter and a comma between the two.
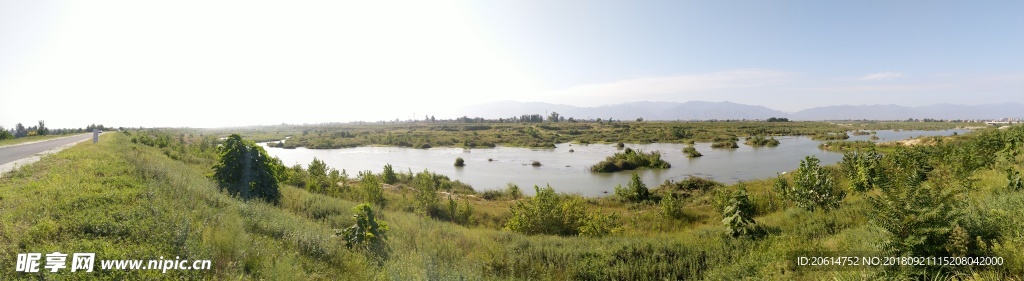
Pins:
x: 727, y: 110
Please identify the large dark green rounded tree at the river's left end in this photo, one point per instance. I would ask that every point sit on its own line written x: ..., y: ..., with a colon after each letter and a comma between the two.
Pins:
x: 246, y: 171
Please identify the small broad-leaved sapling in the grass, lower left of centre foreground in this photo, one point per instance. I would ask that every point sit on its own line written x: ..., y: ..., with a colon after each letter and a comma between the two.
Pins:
x: 368, y: 233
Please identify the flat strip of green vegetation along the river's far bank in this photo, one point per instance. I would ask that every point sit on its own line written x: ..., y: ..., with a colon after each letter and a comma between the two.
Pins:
x: 537, y: 134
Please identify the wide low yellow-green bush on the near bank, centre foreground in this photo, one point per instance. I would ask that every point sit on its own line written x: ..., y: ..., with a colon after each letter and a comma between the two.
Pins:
x: 550, y: 214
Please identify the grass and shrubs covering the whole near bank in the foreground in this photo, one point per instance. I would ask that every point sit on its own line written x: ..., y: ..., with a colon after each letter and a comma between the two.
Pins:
x: 148, y: 194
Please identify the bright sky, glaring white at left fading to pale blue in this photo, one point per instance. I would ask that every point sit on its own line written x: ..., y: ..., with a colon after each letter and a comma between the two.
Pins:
x: 211, y: 64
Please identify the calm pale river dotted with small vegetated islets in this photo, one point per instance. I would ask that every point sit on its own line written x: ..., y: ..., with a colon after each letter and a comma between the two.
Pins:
x: 568, y: 172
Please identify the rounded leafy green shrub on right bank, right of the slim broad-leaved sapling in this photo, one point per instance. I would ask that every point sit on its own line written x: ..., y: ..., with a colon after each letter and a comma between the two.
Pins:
x: 814, y: 187
